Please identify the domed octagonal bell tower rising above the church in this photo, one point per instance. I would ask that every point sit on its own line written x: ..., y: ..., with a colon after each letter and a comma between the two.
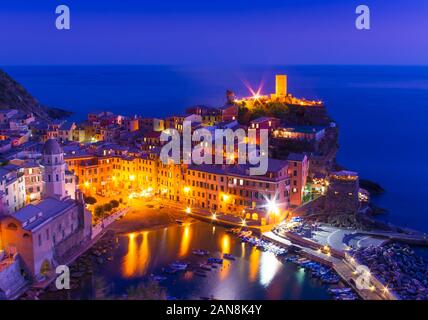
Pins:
x: 54, y: 169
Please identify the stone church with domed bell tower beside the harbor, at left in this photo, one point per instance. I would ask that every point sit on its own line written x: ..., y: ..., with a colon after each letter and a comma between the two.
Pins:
x: 46, y: 233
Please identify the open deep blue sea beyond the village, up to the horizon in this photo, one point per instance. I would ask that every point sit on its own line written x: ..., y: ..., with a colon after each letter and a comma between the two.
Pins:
x: 381, y: 111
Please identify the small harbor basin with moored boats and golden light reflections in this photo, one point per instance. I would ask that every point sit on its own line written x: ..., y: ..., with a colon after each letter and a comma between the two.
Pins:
x: 199, y: 261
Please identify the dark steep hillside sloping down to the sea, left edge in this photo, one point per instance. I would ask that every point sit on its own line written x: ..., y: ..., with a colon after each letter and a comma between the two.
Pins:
x: 14, y: 96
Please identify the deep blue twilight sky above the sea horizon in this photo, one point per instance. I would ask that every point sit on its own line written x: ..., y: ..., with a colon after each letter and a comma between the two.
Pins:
x: 214, y: 32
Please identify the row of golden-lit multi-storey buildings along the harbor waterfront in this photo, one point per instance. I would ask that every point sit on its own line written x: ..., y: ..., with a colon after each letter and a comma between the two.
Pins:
x: 227, y: 189
